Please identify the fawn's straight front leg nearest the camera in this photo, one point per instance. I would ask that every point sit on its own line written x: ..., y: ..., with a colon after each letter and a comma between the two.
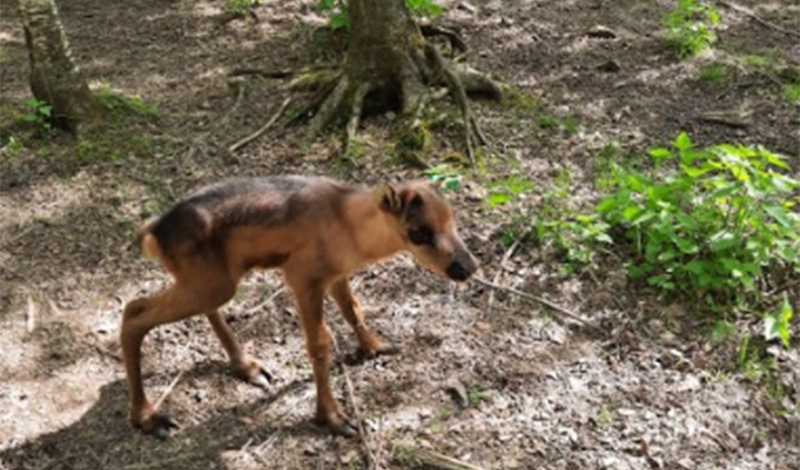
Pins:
x: 318, y: 343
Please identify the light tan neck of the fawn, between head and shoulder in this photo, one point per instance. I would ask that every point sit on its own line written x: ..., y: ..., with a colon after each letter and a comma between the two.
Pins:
x: 373, y: 229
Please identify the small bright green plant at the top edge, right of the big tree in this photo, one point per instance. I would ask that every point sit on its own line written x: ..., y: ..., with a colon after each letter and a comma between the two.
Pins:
x: 689, y: 27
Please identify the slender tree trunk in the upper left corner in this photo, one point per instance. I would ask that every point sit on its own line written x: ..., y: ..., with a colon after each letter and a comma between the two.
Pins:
x: 54, y: 77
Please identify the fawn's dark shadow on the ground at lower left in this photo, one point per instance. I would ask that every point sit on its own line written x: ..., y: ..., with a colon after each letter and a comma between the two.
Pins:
x: 103, y: 439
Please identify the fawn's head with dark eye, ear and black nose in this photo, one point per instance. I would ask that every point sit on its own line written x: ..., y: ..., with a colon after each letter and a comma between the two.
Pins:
x: 425, y: 222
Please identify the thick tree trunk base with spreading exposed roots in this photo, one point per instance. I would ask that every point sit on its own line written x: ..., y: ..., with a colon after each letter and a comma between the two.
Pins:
x: 390, y: 59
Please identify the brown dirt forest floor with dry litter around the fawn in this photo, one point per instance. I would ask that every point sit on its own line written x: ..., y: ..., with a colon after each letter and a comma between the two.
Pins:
x: 500, y: 384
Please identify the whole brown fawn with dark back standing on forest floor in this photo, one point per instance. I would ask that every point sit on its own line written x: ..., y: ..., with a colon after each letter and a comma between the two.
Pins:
x: 317, y: 231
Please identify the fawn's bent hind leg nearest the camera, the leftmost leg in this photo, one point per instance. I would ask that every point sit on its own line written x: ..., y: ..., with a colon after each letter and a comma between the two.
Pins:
x: 142, y: 315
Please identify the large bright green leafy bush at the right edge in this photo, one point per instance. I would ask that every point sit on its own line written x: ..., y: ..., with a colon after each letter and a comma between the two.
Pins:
x: 712, y: 223
